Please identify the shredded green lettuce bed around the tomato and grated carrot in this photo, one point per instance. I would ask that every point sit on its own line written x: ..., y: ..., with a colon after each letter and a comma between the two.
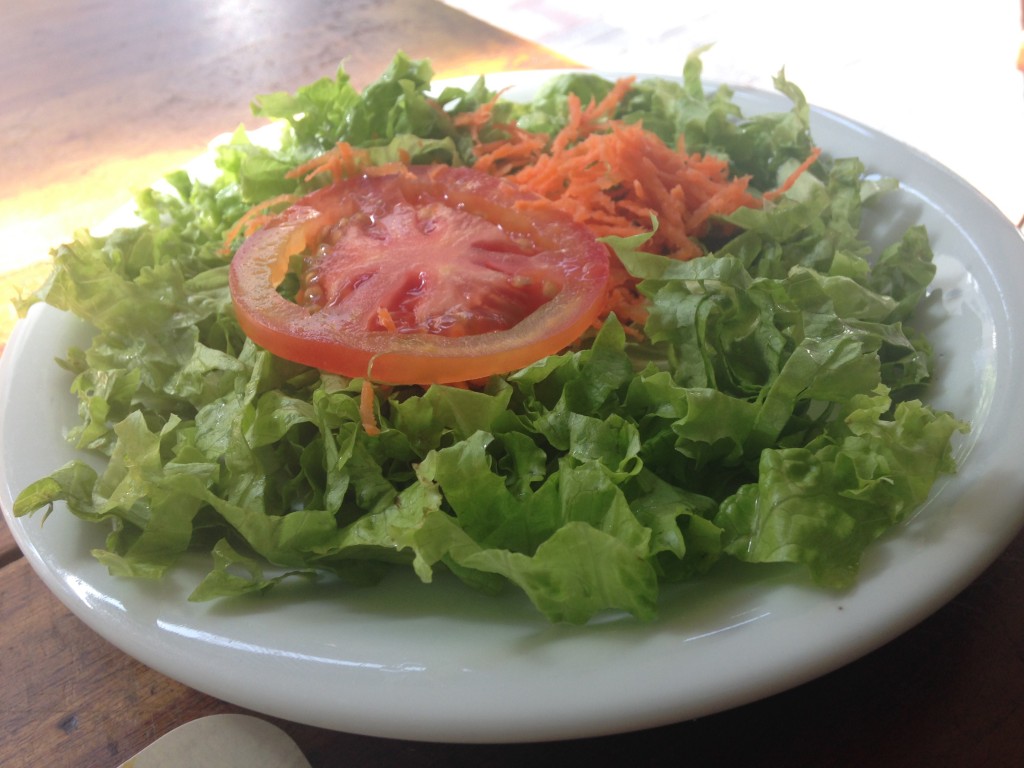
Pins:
x: 774, y: 415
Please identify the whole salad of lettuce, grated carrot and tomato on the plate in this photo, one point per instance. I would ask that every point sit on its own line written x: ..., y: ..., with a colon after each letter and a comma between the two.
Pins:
x: 617, y: 334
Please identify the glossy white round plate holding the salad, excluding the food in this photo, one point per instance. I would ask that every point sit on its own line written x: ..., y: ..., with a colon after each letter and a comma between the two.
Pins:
x: 439, y: 663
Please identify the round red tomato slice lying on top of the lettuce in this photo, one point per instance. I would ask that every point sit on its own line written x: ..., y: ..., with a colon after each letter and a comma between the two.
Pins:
x: 419, y: 276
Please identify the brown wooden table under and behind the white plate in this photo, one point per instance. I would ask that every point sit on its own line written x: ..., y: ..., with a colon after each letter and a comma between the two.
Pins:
x: 99, y: 99
